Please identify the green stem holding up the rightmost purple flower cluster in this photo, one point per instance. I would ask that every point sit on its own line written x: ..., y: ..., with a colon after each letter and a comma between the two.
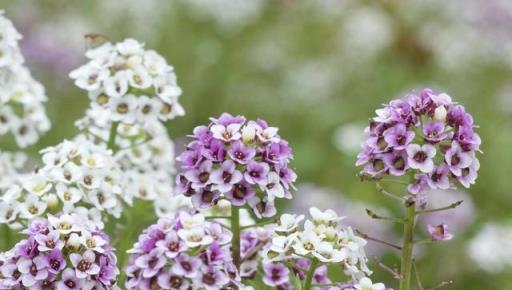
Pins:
x: 408, y: 244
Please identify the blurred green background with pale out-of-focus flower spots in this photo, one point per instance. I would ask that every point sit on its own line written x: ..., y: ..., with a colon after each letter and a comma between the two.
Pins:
x: 317, y: 69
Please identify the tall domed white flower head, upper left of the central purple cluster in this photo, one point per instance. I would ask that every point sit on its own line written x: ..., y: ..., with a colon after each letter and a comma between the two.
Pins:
x: 136, y: 85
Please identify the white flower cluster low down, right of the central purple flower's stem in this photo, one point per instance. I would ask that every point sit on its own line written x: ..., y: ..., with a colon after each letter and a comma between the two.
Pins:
x: 321, y: 239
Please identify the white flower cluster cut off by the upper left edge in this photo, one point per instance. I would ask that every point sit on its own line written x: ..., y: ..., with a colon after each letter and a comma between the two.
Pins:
x: 21, y: 97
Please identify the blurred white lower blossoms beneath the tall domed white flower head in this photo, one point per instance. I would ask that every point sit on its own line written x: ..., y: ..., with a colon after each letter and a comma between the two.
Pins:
x: 145, y: 154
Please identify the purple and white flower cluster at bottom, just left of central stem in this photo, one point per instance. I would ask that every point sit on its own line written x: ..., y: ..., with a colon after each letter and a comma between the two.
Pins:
x: 185, y: 252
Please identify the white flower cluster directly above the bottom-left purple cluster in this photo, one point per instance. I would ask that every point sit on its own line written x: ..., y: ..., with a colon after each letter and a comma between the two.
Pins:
x: 75, y: 174
